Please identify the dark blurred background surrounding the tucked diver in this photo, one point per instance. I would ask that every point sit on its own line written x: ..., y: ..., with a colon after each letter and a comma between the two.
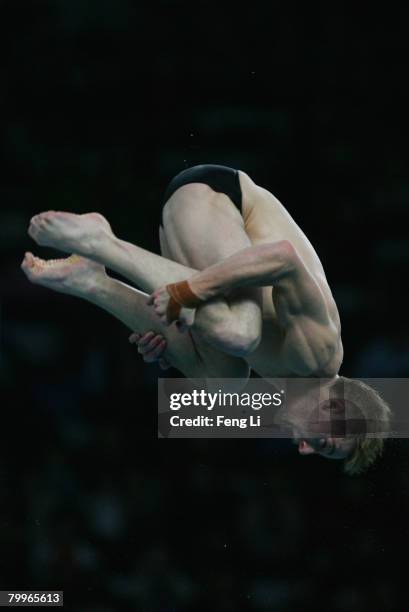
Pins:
x: 102, y: 102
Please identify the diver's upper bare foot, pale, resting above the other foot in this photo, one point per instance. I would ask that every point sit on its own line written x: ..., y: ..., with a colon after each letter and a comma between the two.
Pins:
x: 69, y: 232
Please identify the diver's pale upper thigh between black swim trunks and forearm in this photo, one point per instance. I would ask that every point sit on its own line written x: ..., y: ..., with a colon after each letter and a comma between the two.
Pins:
x: 201, y: 227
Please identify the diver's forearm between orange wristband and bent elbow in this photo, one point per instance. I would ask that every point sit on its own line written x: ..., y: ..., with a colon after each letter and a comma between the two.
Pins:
x: 258, y: 266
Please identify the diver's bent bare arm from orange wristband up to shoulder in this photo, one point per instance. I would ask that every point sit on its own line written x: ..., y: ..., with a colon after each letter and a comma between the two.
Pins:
x: 303, y: 302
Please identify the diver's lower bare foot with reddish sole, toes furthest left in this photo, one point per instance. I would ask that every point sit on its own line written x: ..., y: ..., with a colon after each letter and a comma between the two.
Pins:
x: 74, y: 275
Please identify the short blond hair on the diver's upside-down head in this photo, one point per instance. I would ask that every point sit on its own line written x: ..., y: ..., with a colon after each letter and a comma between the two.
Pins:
x: 377, y: 415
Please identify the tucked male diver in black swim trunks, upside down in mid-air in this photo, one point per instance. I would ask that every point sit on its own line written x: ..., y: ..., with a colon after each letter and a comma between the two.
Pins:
x: 236, y: 273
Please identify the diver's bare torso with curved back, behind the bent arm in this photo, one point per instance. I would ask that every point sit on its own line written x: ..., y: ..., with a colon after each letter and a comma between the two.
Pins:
x: 266, y: 220
